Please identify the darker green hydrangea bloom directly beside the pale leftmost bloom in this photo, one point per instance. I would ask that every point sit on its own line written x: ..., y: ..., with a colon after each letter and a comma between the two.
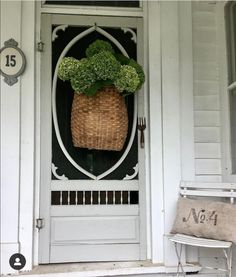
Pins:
x: 84, y: 76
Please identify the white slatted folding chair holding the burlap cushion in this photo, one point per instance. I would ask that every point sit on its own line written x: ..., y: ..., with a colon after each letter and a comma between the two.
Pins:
x: 223, y: 190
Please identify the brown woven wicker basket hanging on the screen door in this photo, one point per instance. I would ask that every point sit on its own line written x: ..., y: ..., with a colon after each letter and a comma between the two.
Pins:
x: 100, y: 121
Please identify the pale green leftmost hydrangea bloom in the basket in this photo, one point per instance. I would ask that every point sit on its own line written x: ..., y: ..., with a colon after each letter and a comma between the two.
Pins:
x: 67, y: 68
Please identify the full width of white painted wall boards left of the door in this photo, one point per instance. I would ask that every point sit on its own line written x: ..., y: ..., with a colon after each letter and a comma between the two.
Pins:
x: 17, y: 138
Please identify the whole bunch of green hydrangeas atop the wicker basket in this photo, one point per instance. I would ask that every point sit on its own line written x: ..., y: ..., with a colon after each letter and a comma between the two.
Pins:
x: 101, y: 67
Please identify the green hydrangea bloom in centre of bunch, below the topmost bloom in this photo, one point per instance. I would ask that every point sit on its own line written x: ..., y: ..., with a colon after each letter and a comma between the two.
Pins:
x: 105, y: 65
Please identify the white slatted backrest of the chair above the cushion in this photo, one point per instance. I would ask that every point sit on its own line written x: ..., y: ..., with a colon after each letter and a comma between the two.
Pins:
x: 226, y: 190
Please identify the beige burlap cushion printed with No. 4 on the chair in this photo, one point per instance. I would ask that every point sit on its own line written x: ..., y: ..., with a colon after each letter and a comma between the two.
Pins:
x: 206, y: 219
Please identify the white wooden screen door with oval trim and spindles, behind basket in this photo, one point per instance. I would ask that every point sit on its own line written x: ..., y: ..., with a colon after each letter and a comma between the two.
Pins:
x: 92, y: 202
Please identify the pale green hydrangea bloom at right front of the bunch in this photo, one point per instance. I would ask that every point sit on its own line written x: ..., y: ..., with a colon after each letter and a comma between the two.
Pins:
x: 127, y: 79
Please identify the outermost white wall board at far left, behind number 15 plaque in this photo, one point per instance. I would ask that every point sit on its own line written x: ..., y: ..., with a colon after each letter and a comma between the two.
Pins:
x: 10, y: 137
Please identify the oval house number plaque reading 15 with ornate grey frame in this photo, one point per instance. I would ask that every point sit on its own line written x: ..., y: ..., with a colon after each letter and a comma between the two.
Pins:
x: 12, y: 62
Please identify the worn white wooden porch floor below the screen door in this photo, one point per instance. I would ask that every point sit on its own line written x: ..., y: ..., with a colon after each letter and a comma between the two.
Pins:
x: 136, y: 268
